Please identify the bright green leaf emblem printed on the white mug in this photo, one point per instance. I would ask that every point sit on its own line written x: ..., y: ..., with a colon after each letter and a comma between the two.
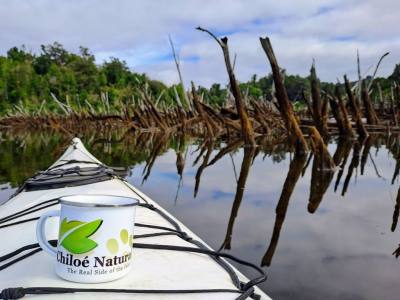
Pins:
x: 77, y: 240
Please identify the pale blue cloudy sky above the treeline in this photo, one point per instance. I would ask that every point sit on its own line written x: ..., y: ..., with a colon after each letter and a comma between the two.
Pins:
x: 329, y: 31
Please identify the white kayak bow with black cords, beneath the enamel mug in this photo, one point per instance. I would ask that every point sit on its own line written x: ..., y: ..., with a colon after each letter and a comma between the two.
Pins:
x: 152, y: 269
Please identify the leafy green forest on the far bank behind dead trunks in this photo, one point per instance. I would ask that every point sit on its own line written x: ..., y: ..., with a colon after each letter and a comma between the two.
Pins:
x: 30, y: 81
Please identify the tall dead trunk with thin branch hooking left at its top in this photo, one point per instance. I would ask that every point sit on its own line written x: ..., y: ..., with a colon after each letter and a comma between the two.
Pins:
x: 247, y: 128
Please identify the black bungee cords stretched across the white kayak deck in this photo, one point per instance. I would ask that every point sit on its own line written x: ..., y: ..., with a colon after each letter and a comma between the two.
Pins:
x: 245, y: 289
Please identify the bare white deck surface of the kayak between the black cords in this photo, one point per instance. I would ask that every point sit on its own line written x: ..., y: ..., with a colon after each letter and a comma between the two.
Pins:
x: 151, y: 269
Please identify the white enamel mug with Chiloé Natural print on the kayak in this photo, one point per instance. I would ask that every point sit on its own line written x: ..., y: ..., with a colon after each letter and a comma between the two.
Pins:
x: 95, y: 237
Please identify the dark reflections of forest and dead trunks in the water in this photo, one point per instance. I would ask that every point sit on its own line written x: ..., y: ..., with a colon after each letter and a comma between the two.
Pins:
x: 24, y: 154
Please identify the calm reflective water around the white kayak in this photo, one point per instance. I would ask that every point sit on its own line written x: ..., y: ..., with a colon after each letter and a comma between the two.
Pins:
x: 319, y: 235
